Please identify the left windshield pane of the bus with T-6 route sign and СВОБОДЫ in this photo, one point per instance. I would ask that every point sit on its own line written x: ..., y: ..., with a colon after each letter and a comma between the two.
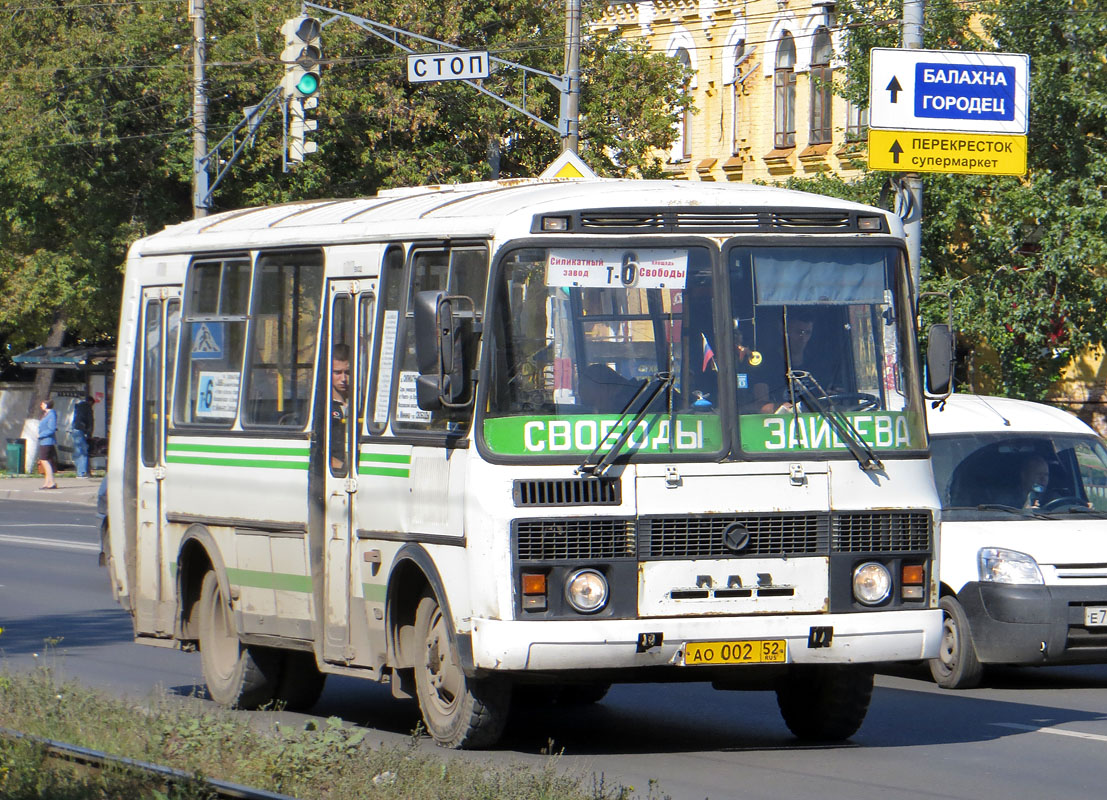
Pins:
x: 587, y: 338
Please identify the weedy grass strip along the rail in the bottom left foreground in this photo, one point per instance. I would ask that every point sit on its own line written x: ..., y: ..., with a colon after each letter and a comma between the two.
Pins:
x: 323, y: 762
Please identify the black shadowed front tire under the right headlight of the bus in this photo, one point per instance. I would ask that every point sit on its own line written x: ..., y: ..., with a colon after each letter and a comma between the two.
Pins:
x: 825, y: 703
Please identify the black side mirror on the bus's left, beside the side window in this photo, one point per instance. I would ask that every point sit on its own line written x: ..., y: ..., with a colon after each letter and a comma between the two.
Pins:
x: 440, y: 351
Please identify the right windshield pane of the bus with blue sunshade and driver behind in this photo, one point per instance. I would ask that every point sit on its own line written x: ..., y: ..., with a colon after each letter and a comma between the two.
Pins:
x: 821, y: 350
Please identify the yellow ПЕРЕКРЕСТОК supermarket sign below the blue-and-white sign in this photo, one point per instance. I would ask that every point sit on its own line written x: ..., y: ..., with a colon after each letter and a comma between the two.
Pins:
x: 933, y: 152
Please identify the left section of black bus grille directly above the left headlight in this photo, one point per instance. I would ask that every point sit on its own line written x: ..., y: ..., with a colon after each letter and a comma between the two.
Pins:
x: 574, y: 539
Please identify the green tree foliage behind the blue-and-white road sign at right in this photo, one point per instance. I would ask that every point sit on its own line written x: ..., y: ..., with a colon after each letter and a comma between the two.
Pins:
x: 1025, y: 259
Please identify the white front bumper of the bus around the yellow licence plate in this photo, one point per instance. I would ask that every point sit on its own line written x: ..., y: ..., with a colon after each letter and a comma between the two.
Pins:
x: 623, y: 645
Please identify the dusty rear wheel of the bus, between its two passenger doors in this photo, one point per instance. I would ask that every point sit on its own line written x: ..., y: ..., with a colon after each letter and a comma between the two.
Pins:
x: 237, y: 677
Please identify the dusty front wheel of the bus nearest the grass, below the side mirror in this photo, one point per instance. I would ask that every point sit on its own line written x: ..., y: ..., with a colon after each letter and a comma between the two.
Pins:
x: 460, y: 712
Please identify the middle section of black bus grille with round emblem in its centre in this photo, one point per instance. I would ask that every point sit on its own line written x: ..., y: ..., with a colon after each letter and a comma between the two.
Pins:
x: 706, y: 537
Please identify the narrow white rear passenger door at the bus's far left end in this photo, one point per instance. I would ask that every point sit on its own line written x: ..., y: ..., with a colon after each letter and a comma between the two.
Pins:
x: 161, y: 316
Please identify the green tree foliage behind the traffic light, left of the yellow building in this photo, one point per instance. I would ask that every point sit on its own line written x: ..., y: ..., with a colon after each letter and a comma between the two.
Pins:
x: 97, y: 120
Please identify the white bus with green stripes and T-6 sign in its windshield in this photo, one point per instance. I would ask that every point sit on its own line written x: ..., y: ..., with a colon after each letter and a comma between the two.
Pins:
x: 527, y: 439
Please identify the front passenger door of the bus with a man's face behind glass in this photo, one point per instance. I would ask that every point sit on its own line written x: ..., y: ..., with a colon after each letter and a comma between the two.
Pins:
x: 346, y: 376
